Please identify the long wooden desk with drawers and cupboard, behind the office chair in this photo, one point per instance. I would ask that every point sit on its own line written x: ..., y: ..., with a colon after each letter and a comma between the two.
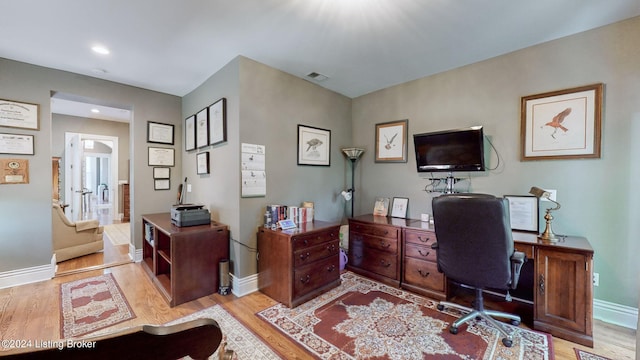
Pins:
x: 560, y: 288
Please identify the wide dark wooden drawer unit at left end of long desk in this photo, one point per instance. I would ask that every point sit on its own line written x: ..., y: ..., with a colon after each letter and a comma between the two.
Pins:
x: 374, y: 250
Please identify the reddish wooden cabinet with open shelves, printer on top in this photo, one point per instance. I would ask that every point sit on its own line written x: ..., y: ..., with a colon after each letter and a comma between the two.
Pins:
x: 183, y: 261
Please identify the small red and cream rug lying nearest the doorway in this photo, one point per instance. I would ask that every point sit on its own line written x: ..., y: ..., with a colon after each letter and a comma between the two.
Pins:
x: 91, y: 304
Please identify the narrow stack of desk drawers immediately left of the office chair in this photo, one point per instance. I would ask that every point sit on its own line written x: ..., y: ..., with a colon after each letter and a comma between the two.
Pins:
x: 420, y: 269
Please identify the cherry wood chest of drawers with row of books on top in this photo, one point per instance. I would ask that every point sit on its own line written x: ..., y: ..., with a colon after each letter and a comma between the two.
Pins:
x: 297, y: 265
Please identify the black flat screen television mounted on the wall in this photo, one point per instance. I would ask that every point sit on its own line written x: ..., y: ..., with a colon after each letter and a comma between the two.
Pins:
x: 450, y: 150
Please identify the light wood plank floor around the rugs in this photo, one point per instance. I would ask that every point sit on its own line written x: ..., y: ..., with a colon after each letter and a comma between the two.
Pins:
x: 32, y: 312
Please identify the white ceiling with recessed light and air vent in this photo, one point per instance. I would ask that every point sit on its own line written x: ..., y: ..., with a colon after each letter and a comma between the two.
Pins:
x: 361, y: 45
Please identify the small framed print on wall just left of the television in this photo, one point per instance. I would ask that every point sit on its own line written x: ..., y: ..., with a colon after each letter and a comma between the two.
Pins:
x: 391, y: 141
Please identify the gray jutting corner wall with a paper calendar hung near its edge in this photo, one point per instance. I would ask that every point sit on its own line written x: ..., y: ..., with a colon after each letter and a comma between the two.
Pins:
x: 264, y: 107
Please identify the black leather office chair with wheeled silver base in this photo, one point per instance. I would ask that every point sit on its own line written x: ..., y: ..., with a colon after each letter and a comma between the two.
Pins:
x: 475, y: 248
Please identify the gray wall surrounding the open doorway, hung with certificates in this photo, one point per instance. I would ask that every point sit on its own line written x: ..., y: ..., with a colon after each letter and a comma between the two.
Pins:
x: 25, y: 241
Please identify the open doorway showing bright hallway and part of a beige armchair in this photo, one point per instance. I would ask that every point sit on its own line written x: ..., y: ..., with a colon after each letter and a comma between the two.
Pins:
x: 92, y: 144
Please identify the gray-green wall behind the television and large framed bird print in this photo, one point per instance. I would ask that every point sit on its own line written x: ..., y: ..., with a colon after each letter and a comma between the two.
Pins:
x: 598, y: 196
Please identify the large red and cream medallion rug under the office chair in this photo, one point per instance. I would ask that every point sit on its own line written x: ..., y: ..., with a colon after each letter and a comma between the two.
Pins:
x: 363, y: 319
